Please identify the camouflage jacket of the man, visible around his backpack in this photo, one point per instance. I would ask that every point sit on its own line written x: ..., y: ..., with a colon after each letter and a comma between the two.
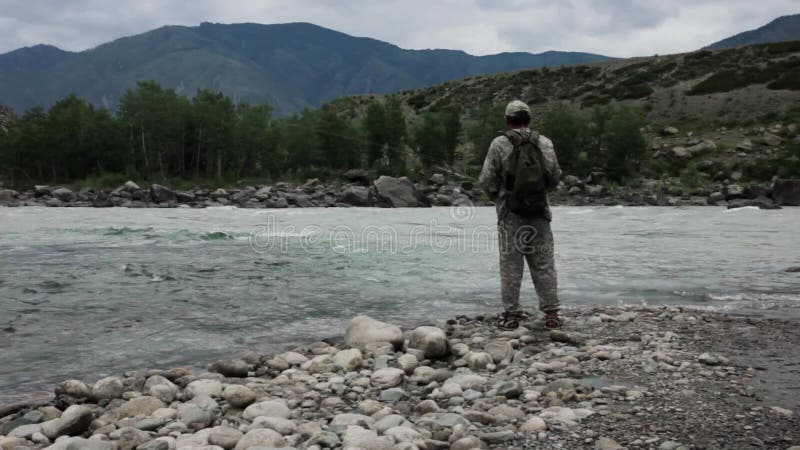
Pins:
x: 492, y: 175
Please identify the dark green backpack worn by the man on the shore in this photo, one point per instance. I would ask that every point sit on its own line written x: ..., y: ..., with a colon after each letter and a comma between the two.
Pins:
x: 526, y: 177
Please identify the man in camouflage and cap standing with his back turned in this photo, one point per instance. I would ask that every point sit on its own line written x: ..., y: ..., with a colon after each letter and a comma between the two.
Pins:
x: 520, y: 168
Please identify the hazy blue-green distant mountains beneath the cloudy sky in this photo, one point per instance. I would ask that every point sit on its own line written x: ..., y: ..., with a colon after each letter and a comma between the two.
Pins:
x: 290, y: 66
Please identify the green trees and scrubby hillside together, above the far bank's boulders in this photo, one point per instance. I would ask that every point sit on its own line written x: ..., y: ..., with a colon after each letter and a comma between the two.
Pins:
x: 699, y: 118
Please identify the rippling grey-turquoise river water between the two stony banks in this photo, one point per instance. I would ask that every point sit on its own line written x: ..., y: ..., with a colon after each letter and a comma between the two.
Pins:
x: 89, y: 292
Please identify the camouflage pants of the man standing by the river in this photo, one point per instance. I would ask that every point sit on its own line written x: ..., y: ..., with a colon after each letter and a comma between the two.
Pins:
x: 528, y: 240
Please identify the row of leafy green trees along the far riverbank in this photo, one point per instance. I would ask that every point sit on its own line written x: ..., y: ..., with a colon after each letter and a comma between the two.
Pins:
x: 157, y: 134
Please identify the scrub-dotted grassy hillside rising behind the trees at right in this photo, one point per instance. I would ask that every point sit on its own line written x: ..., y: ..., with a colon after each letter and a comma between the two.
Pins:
x: 675, y: 90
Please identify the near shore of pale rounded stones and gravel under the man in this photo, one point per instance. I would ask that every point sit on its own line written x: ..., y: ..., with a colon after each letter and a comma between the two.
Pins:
x: 643, y: 378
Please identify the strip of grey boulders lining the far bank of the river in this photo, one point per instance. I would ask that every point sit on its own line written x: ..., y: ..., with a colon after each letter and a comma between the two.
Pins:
x: 392, y: 192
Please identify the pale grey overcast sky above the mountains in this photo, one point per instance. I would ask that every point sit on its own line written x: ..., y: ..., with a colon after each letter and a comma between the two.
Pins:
x: 610, y: 27
